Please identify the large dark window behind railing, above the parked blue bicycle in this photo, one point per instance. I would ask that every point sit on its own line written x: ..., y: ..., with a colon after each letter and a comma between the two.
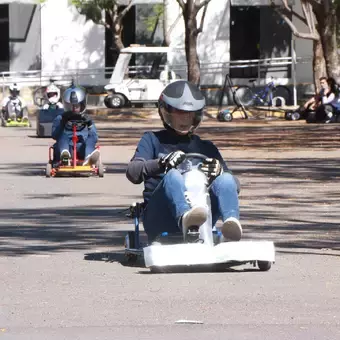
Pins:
x: 258, y: 32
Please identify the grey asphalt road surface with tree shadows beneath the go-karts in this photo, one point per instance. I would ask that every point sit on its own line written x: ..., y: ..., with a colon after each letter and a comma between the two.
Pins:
x: 63, y: 274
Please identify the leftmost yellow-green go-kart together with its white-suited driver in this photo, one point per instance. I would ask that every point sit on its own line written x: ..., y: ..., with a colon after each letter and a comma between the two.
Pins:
x: 14, y: 110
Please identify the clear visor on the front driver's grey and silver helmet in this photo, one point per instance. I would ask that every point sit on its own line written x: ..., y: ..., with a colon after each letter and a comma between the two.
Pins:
x: 181, y: 121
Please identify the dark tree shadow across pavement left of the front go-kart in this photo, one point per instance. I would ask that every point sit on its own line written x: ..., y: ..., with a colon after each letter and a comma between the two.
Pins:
x: 51, y: 230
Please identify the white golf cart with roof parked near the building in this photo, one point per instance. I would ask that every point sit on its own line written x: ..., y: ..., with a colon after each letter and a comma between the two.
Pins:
x: 140, y: 88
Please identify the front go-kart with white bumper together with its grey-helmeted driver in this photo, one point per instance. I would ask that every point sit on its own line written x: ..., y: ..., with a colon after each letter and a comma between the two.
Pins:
x: 188, y: 187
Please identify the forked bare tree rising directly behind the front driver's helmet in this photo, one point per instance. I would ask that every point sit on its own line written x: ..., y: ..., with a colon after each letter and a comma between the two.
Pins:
x: 190, y: 9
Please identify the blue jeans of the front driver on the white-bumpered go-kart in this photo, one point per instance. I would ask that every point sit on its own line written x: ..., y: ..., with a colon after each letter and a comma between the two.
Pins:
x: 167, y: 203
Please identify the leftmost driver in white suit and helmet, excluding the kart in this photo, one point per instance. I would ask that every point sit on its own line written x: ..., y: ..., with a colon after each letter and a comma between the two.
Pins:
x: 14, y: 107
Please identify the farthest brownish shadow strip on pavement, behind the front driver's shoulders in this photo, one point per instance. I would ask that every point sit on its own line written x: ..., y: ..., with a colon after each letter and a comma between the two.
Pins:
x: 260, y: 135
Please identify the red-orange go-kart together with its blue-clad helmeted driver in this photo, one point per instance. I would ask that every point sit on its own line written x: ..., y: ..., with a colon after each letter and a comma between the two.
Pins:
x: 75, y: 151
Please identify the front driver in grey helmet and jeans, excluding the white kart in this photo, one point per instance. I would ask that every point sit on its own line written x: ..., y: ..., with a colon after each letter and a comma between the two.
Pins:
x: 167, y: 208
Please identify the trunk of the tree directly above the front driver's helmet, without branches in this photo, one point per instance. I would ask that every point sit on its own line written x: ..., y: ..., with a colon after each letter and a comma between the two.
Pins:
x: 191, y: 34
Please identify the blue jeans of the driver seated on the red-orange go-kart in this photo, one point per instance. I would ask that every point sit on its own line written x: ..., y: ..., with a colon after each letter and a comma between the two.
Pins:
x: 84, y: 146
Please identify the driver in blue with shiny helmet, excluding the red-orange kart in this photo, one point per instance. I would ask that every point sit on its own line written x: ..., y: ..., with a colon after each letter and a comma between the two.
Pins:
x: 74, y: 101
